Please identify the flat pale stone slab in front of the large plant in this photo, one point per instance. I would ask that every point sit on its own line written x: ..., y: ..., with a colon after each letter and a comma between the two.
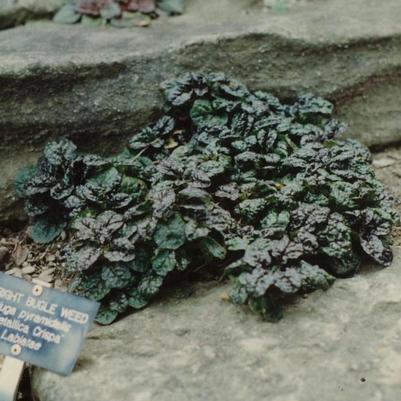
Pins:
x: 340, y: 345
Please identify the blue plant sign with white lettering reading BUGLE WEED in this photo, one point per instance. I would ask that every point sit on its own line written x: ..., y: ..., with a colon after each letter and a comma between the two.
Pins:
x: 43, y: 326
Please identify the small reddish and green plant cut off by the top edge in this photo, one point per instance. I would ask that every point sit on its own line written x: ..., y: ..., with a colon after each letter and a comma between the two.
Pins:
x: 119, y: 13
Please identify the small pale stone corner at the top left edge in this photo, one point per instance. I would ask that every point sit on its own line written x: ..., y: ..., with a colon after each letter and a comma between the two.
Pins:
x: 17, y: 12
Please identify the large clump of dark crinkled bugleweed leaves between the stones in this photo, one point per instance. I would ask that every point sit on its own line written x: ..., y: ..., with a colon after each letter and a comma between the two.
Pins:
x: 229, y: 180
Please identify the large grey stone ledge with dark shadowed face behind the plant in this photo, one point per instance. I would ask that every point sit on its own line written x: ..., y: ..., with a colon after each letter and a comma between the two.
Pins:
x: 98, y: 85
